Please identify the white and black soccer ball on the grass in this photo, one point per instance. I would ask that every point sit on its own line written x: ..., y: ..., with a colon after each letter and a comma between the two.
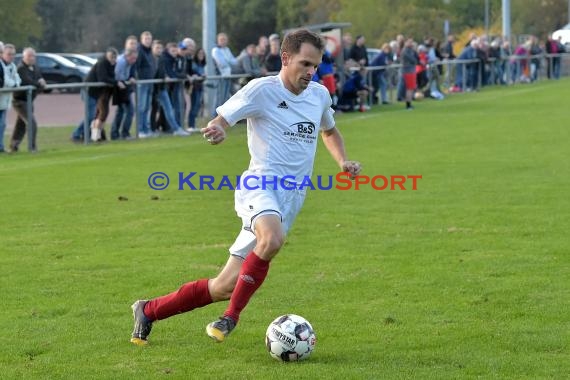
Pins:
x: 290, y: 338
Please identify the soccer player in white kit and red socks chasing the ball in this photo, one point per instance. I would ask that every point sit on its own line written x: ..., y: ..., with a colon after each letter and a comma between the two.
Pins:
x: 285, y: 114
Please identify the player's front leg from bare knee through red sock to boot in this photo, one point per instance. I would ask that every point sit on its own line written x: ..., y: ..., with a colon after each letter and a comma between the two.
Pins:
x: 270, y: 238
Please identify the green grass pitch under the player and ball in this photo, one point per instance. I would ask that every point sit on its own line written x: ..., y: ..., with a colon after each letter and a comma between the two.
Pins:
x: 466, y: 277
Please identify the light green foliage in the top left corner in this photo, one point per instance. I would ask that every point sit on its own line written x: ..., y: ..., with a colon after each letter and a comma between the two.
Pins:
x: 19, y: 22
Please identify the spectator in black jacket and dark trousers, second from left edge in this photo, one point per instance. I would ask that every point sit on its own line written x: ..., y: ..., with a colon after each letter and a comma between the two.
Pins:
x: 31, y: 76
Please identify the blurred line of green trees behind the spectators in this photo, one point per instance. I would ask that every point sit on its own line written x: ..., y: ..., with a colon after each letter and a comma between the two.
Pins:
x: 92, y: 25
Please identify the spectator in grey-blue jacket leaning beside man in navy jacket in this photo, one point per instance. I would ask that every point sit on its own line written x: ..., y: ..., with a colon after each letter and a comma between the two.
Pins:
x: 122, y: 97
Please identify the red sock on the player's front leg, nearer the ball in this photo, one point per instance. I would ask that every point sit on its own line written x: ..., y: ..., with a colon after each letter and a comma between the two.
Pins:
x: 251, y: 276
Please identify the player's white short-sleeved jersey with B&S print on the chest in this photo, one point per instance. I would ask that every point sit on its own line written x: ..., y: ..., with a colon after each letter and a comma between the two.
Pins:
x: 282, y: 128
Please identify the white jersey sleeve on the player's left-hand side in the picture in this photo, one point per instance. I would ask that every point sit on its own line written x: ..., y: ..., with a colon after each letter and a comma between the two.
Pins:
x: 242, y: 105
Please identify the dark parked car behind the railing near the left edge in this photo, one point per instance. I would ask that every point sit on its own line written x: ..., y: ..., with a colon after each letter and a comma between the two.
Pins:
x: 57, y: 70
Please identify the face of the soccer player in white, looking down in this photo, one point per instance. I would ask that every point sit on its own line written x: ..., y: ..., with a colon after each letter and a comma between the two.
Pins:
x: 299, y: 68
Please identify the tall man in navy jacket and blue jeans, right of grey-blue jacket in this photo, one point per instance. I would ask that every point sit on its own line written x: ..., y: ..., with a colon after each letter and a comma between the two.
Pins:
x: 145, y: 68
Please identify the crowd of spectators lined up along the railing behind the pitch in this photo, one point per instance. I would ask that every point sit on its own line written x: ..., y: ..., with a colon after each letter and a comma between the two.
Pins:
x: 415, y: 70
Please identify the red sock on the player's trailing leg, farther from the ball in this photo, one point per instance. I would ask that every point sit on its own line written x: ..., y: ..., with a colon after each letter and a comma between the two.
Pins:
x: 190, y: 296
